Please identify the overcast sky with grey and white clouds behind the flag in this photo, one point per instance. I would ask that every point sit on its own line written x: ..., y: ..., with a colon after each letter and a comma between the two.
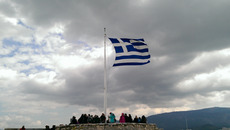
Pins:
x: 51, y: 58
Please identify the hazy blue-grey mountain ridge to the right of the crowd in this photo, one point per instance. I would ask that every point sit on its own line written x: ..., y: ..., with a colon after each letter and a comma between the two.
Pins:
x: 204, y: 119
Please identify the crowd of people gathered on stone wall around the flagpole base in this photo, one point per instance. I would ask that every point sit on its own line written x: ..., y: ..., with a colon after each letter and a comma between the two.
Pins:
x: 124, y: 118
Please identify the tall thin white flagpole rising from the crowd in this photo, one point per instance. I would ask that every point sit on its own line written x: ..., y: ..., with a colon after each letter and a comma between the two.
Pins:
x: 105, y: 76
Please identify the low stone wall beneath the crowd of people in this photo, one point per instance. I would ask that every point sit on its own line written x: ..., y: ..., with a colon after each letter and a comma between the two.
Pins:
x: 110, y: 126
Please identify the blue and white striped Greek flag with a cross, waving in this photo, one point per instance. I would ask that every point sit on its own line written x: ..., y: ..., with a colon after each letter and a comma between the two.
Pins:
x: 130, y: 51
